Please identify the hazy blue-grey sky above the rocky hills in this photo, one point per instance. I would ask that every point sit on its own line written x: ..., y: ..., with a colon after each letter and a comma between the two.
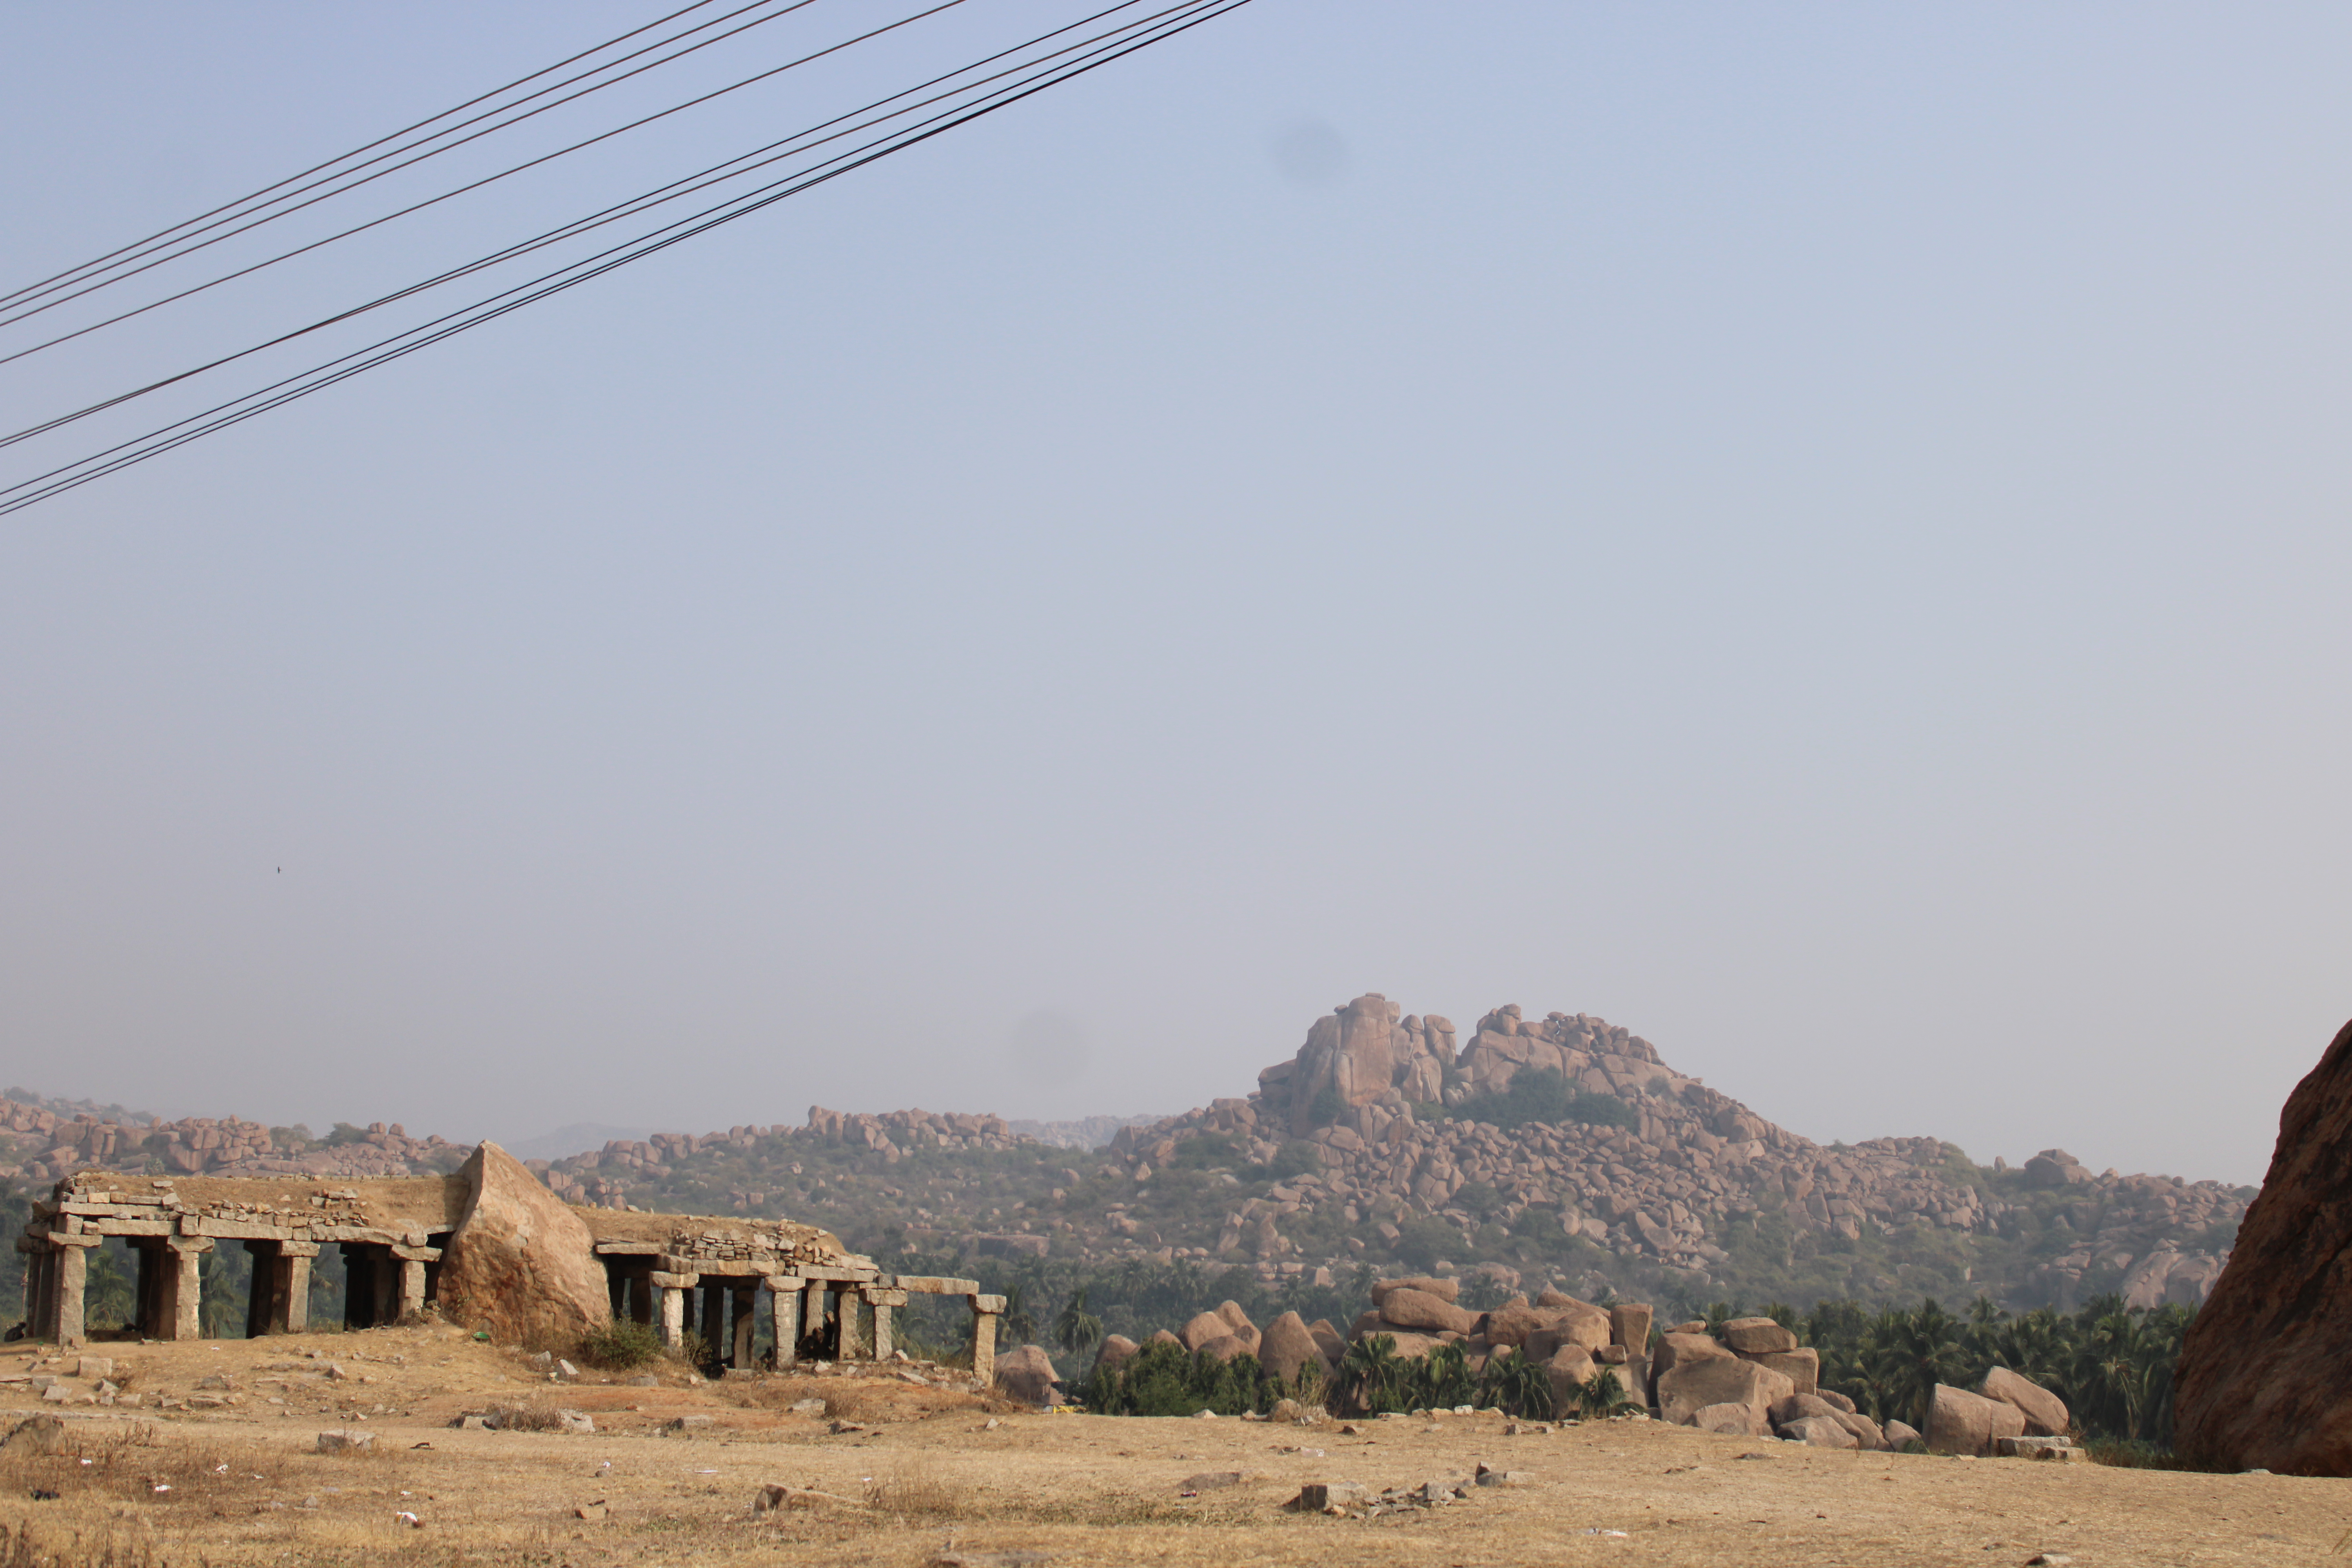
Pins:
x: 1815, y: 532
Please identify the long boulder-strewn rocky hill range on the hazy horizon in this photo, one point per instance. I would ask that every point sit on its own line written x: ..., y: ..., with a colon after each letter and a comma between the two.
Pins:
x: 1542, y: 1151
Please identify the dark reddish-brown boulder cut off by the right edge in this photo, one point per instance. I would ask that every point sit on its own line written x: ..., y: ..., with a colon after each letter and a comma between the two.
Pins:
x: 2264, y: 1374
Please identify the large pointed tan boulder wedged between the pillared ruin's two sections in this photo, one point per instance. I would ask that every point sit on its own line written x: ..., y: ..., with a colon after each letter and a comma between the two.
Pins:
x: 521, y: 1264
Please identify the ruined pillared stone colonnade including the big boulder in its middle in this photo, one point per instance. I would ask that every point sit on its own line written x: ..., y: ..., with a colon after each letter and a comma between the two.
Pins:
x: 488, y: 1247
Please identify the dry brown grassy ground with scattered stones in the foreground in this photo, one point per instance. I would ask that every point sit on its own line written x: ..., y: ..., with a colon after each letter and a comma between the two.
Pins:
x: 928, y: 1475
